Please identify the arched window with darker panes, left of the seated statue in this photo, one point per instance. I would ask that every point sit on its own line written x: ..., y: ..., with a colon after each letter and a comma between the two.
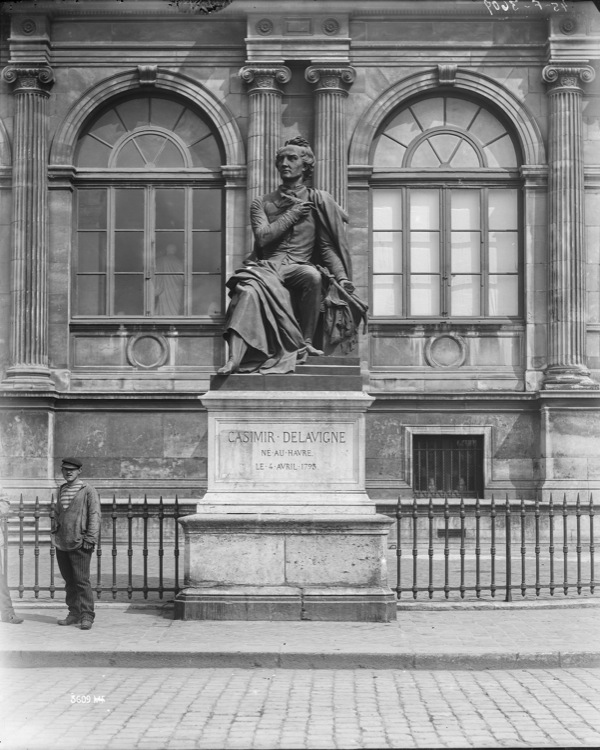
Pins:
x: 148, y: 213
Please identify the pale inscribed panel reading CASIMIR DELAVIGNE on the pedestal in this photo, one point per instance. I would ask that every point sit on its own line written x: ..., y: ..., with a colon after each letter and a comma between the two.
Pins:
x: 296, y: 453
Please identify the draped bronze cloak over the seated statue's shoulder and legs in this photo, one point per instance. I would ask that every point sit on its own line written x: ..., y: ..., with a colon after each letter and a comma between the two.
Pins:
x: 263, y: 316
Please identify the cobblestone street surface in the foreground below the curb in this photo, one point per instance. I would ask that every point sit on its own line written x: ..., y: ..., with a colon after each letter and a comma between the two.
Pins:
x: 119, y: 709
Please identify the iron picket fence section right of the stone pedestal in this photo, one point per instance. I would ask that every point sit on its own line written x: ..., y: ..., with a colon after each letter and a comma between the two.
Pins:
x: 488, y: 548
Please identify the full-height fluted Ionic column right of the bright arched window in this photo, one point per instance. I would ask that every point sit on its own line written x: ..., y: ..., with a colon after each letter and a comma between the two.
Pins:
x: 566, y: 283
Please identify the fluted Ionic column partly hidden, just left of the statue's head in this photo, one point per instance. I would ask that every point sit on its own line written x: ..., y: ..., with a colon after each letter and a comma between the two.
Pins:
x: 264, y: 129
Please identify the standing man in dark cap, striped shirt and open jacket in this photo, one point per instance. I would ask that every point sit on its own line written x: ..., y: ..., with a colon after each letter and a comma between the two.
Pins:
x: 76, y: 528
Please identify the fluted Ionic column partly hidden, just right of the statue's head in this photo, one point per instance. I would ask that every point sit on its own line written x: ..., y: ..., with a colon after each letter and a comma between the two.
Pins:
x: 331, y: 147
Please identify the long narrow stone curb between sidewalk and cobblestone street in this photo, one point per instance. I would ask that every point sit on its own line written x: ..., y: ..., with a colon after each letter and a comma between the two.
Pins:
x: 298, y: 660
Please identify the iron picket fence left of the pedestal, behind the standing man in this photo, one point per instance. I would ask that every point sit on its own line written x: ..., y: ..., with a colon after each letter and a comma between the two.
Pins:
x: 142, y: 540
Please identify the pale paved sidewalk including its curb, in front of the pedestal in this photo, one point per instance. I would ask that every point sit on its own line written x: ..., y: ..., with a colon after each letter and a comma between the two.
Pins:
x: 444, y: 636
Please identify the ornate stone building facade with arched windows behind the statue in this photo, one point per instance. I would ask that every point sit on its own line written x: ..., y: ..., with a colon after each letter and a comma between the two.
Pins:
x: 462, y: 137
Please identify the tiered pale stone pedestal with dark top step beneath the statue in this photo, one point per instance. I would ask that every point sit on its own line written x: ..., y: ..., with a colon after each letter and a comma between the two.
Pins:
x: 286, y: 530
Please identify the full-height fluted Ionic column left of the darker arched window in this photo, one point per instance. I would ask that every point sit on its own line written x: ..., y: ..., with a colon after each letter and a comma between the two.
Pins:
x: 29, y: 322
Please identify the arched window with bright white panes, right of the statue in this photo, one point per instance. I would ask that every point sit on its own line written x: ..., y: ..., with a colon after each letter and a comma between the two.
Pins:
x: 446, y: 213
